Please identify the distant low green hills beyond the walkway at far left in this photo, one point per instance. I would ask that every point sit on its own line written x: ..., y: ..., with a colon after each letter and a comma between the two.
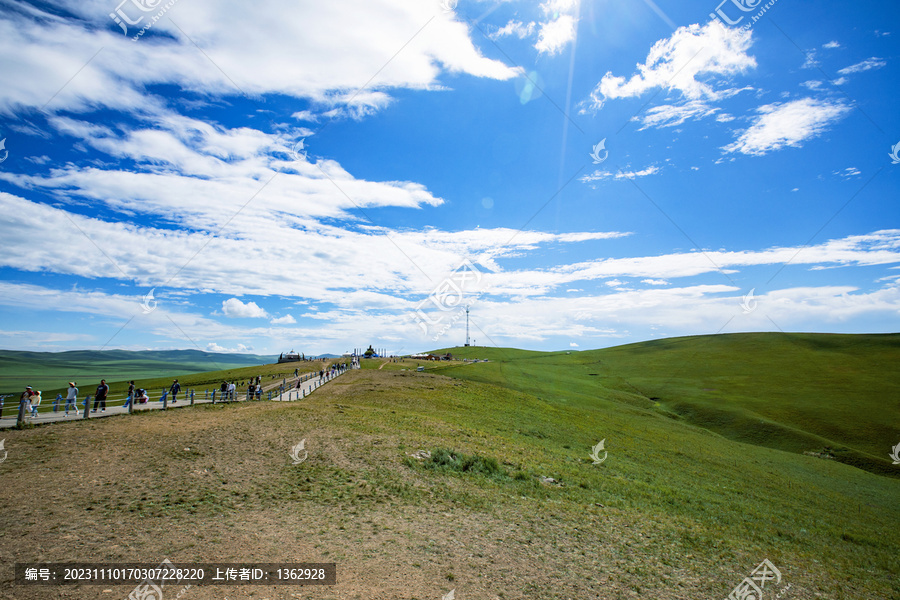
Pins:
x: 51, y: 370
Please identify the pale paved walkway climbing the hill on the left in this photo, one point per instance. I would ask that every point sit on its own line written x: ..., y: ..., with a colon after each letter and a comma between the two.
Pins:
x: 309, y: 383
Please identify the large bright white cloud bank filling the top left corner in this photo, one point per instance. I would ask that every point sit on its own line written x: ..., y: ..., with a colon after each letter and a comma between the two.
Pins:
x: 300, y: 50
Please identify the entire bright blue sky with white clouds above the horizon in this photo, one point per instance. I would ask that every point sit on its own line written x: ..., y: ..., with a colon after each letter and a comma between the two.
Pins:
x: 262, y: 177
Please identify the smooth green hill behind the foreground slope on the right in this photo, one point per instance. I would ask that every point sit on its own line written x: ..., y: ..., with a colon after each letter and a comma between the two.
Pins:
x: 835, y: 396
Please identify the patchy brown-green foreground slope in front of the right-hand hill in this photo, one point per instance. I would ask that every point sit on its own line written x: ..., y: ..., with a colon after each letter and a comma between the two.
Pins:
x: 674, y: 511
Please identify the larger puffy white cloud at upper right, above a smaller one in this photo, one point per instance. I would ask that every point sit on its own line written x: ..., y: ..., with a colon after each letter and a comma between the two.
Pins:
x: 685, y: 62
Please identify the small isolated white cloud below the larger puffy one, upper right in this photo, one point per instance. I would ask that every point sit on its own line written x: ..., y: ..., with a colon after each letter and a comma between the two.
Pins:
x: 787, y: 124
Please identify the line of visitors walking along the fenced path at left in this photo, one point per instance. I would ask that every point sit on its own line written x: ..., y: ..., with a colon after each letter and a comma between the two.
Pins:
x: 227, y: 392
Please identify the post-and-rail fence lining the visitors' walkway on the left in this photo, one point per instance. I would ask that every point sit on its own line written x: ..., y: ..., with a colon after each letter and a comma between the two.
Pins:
x: 289, y: 389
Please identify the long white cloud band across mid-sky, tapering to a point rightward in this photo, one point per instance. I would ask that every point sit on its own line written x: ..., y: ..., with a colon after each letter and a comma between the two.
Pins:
x: 248, y: 257
